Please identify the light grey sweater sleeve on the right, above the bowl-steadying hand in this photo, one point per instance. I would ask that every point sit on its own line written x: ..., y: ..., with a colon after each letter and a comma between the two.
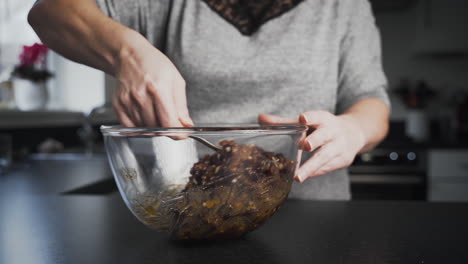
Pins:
x: 360, y: 67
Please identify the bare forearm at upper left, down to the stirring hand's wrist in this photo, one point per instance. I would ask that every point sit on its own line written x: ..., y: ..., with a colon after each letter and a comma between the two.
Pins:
x: 79, y: 31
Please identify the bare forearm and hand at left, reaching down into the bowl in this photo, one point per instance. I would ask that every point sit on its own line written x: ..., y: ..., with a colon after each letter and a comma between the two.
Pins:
x: 151, y: 91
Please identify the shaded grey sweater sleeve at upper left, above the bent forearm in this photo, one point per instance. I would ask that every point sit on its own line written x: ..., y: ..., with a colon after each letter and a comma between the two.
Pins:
x: 148, y: 17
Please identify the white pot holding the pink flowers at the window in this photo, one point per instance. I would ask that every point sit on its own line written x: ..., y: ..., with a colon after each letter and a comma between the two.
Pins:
x: 30, y: 95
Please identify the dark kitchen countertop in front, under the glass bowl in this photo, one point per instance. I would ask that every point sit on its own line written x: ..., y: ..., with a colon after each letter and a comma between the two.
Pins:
x: 38, y: 225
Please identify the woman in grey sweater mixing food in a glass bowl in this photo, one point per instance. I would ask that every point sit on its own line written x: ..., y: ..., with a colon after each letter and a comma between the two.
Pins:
x: 315, y: 62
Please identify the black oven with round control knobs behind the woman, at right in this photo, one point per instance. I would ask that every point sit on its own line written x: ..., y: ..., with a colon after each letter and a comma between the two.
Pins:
x: 389, y: 174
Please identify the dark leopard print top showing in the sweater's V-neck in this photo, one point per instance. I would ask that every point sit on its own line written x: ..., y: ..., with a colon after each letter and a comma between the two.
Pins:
x: 247, y: 15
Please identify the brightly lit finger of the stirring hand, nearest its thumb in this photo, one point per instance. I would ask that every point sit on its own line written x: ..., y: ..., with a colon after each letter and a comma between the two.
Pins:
x: 165, y: 109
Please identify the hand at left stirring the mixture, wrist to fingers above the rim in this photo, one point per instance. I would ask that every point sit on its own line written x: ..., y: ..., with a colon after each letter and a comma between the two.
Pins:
x: 151, y: 91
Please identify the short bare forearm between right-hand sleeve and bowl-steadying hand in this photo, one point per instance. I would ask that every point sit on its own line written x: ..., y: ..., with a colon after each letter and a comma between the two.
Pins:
x: 372, y: 117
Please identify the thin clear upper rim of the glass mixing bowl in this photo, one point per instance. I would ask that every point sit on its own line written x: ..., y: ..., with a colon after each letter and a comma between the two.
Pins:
x: 205, y: 129
